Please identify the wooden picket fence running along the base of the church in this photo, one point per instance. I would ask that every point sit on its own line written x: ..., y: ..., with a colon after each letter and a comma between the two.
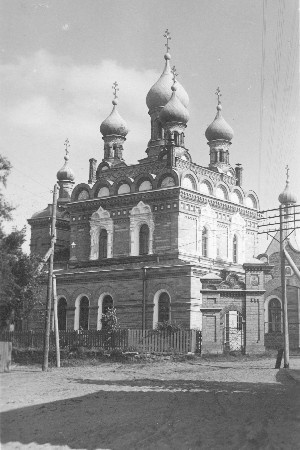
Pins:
x: 149, y: 341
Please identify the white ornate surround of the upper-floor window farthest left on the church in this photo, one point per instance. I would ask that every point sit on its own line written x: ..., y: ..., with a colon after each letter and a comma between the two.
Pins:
x: 101, y: 219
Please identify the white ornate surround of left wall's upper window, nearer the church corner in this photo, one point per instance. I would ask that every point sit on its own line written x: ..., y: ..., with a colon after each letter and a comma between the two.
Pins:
x: 139, y: 215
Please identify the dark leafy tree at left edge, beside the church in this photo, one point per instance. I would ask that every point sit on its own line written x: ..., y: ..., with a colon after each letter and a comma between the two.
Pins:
x: 20, y: 277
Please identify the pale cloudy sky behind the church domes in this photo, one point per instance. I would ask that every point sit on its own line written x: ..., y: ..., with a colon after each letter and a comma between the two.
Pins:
x: 60, y: 58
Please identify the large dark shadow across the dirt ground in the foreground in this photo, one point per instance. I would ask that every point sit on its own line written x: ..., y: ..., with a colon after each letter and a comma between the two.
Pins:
x: 157, y: 415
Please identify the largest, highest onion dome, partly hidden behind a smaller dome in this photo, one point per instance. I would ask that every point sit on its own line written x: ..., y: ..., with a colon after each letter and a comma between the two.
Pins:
x: 160, y: 93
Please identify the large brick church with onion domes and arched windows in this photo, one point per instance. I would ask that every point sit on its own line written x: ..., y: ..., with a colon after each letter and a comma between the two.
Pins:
x: 164, y: 239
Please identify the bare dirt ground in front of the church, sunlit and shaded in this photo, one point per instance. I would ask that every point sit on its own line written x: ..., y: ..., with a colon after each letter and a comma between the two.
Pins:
x: 195, y: 404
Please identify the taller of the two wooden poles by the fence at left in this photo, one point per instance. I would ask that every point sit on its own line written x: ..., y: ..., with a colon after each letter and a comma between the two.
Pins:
x: 50, y: 282
